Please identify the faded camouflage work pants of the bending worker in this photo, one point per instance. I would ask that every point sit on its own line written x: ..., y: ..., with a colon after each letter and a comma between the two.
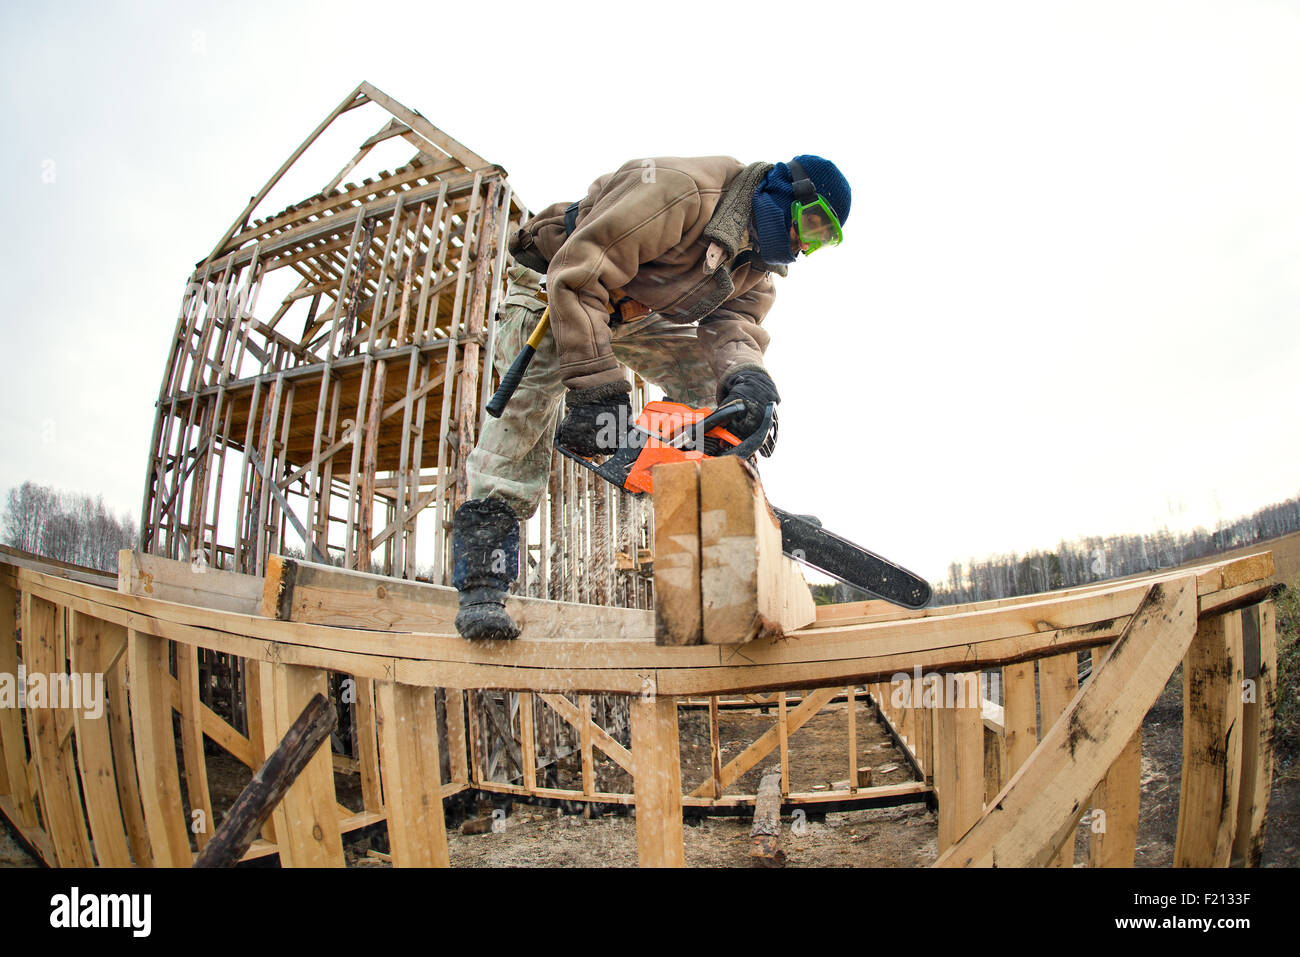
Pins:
x: 513, y: 457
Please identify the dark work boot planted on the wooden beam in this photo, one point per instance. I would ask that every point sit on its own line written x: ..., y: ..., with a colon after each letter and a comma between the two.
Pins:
x: 486, y: 562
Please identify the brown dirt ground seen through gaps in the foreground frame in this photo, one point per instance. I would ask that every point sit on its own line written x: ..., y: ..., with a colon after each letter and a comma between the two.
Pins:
x: 900, y: 837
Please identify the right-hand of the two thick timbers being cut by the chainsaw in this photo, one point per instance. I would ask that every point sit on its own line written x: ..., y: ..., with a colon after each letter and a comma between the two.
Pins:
x: 748, y: 588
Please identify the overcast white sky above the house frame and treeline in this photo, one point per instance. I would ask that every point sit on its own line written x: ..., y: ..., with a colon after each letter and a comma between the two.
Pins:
x: 1067, y: 302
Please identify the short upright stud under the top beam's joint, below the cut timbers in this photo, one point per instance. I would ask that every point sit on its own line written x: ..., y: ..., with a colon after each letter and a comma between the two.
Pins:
x: 656, y: 748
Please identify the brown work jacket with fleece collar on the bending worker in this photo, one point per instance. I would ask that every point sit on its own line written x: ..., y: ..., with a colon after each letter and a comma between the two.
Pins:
x: 669, y: 233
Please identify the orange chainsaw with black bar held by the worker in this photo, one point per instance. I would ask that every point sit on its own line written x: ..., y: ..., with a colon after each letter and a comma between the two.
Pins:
x: 673, y: 432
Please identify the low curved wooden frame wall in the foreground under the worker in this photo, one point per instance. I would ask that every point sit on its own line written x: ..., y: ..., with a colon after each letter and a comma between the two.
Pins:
x: 1137, y: 634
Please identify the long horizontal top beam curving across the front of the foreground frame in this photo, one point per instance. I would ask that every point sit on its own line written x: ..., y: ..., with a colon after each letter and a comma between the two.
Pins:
x: 860, y: 653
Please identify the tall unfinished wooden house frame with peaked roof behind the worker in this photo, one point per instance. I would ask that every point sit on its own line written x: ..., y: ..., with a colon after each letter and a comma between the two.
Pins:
x: 330, y: 370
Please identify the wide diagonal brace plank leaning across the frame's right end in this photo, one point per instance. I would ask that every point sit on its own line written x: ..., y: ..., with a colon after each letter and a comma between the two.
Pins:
x: 1035, y: 812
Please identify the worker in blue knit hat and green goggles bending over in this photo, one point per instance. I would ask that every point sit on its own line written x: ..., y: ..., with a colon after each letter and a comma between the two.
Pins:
x: 665, y: 267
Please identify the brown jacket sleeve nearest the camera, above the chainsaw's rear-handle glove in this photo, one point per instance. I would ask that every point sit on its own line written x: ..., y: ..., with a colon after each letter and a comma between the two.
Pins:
x: 626, y: 222
